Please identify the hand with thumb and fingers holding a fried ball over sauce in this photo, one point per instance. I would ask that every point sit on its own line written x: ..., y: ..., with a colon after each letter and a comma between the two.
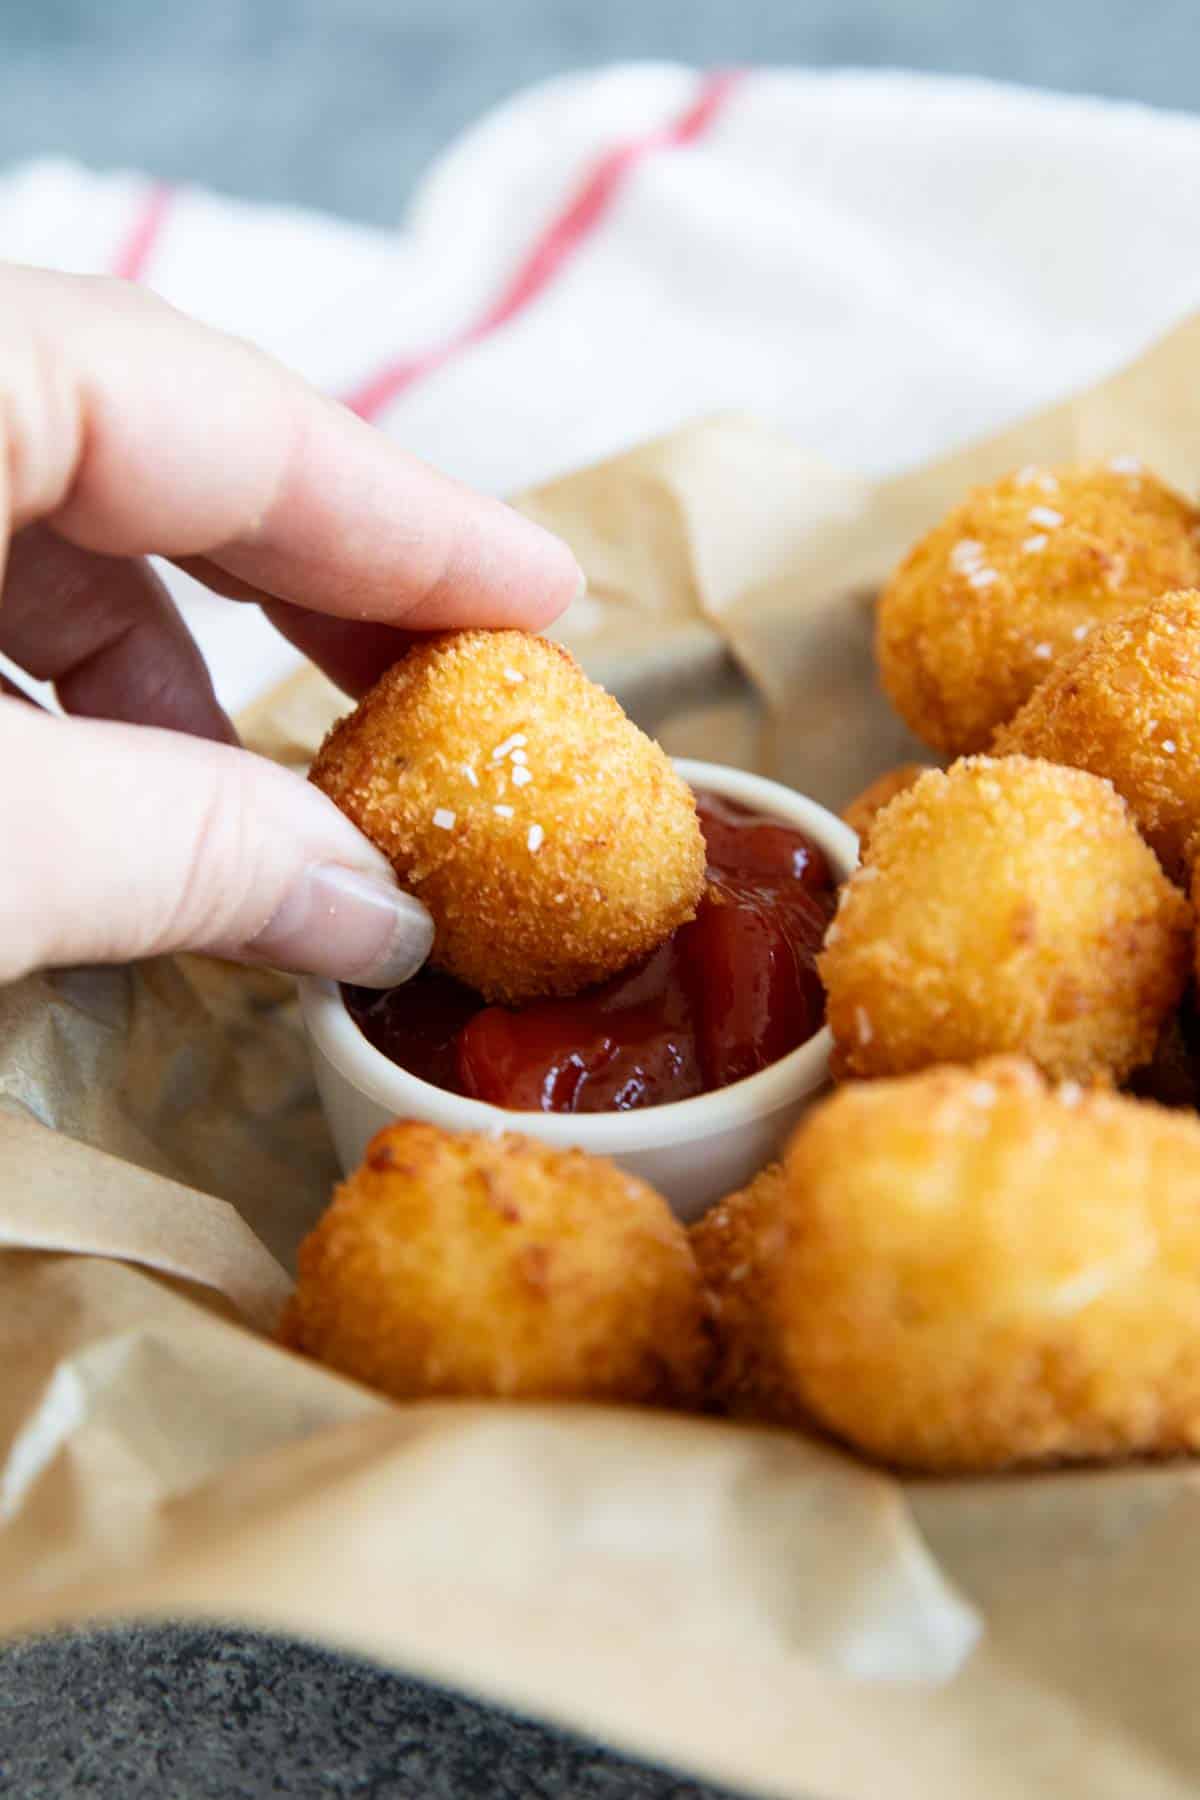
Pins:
x: 138, y: 825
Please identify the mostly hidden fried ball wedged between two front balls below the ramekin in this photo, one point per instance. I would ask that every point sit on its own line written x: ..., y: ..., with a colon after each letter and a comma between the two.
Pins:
x: 737, y: 1243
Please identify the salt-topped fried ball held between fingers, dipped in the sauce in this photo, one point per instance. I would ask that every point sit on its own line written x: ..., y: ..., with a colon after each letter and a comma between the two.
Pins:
x: 550, y: 838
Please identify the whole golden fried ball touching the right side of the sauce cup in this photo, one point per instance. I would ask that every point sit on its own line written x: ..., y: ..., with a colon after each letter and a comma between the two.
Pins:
x: 1005, y: 906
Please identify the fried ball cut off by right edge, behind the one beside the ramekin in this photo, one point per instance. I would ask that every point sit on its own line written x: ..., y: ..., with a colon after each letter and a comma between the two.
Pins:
x: 1127, y: 708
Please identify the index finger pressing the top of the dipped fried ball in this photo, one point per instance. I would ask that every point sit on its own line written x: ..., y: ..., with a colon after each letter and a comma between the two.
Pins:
x: 136, y: 431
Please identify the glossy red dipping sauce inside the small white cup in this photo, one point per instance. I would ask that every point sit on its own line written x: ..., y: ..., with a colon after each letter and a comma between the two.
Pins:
x: 726, y: 996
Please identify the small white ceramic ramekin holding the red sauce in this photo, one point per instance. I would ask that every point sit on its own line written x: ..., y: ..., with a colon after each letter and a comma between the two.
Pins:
x: 694, y: 1151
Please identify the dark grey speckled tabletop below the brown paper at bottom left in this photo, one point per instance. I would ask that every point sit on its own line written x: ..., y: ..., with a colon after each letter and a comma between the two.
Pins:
x: 228, y: 1716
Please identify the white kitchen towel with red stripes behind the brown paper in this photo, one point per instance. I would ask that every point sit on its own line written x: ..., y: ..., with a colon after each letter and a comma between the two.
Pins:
x: 881, y: 265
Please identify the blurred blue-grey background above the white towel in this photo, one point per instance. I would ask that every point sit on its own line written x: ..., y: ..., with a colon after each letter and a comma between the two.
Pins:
x: 341, y: 103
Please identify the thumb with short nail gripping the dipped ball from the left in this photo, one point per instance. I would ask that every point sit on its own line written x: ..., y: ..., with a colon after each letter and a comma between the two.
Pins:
x: 121, y: 841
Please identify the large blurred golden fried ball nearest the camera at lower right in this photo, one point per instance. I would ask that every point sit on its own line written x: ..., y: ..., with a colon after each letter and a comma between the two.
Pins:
x: 981, y: 1272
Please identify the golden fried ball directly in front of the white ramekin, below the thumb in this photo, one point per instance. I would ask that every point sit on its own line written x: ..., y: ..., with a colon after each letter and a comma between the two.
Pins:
x: 497, y: 1266
